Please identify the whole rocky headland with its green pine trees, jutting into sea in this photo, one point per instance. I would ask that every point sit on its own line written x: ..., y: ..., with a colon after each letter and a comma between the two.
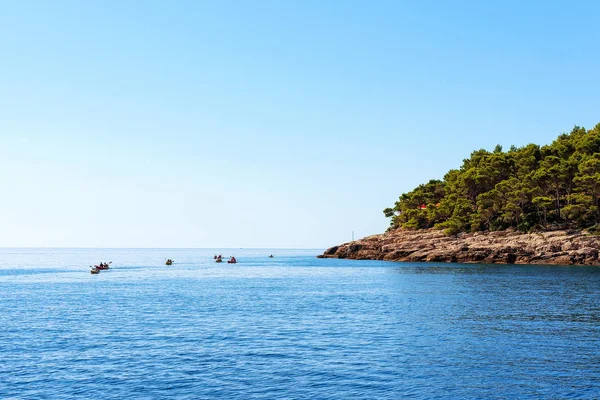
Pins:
x: 532, y: 204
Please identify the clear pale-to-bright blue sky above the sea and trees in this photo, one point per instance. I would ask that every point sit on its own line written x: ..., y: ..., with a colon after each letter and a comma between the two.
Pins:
x: 267, y: 123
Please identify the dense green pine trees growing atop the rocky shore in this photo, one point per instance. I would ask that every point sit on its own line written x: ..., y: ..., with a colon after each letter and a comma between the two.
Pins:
x: 529, y: 188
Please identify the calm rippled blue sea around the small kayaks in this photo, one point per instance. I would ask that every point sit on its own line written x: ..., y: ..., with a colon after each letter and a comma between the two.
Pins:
x: 292, y: 327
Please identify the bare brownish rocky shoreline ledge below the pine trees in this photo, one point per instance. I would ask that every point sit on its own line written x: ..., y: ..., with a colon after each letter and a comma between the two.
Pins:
x: 505, y: 247
